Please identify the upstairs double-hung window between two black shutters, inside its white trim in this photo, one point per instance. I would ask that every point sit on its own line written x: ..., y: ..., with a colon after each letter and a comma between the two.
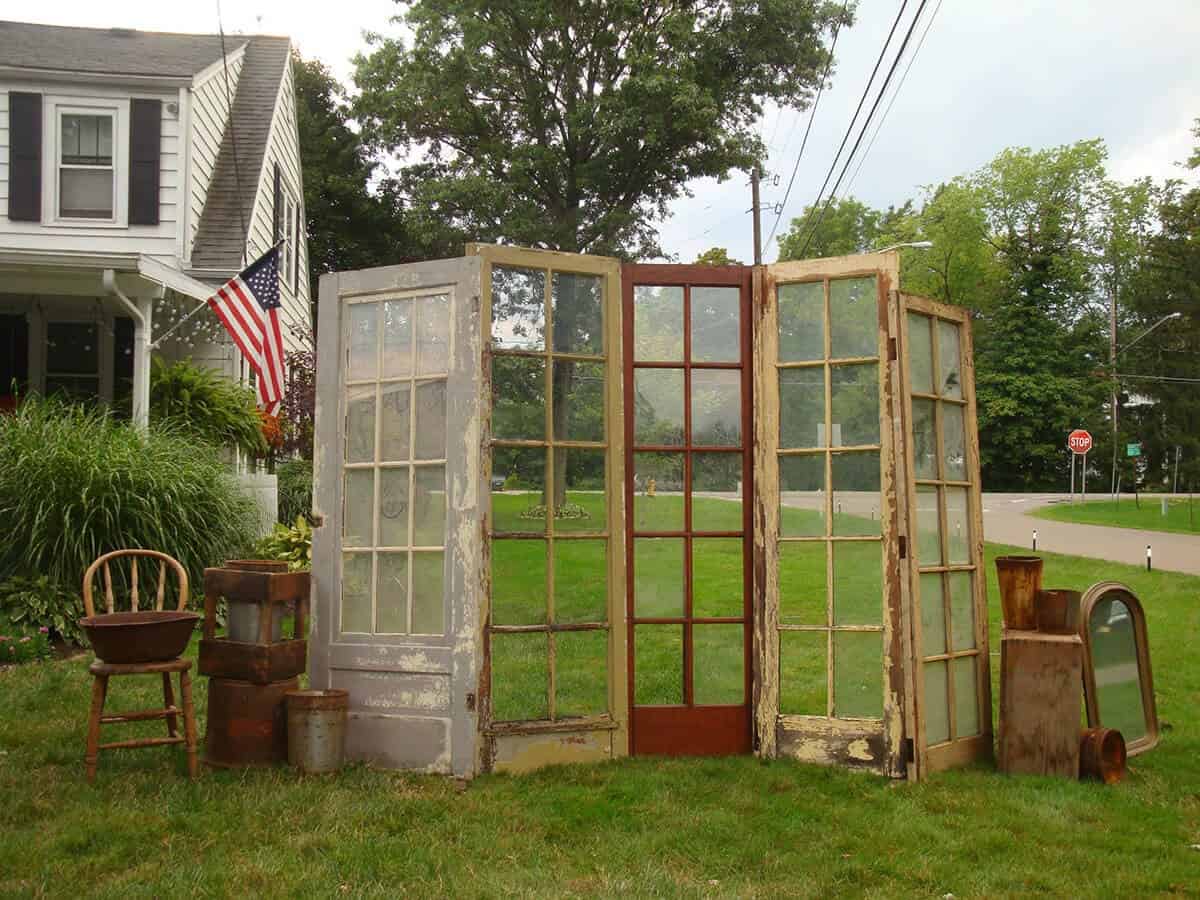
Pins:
x: 86, y: 166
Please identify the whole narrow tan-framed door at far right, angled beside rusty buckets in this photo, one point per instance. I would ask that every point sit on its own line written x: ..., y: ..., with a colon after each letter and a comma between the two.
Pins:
x: 950, y: 610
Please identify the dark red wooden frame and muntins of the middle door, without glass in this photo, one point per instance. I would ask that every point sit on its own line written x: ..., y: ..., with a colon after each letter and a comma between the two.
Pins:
x: 689, y: 729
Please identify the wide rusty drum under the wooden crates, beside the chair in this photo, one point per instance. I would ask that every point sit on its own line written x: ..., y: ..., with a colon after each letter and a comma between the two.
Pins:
x: 248, y: 723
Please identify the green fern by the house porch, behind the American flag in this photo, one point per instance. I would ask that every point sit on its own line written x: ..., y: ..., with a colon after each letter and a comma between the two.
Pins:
x: 206, y: 405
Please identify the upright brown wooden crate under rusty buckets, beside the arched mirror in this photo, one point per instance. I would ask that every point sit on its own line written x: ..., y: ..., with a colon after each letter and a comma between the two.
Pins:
x: 1041, y: 698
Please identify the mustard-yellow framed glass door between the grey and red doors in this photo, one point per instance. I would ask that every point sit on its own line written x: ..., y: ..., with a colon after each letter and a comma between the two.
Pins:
x: 553, y: 687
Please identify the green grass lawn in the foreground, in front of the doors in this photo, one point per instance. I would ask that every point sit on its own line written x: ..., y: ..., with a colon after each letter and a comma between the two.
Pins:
x: 641, y: 827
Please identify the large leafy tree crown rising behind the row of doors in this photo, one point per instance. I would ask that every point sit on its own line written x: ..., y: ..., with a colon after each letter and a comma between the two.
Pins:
x: 574, y: 127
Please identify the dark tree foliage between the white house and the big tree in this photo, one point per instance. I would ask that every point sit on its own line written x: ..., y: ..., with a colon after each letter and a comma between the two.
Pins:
x: 355, y: 218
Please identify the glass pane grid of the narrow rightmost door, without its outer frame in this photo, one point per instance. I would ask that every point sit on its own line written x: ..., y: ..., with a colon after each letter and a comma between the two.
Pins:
x: 950, y: 635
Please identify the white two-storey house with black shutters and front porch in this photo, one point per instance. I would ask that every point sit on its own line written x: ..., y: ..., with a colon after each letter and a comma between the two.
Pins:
x: 139, y: 171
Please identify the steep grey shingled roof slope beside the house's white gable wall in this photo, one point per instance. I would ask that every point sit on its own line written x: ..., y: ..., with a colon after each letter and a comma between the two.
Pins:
x: 221, y: 233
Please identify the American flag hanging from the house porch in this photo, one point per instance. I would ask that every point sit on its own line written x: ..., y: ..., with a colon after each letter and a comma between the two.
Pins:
x: 249, y: 308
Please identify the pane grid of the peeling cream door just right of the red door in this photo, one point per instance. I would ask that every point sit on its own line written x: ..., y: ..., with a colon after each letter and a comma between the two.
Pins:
x: 830, y: 375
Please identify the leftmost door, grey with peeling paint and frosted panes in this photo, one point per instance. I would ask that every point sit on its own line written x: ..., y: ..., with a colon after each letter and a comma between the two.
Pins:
x: 399, y: 489
